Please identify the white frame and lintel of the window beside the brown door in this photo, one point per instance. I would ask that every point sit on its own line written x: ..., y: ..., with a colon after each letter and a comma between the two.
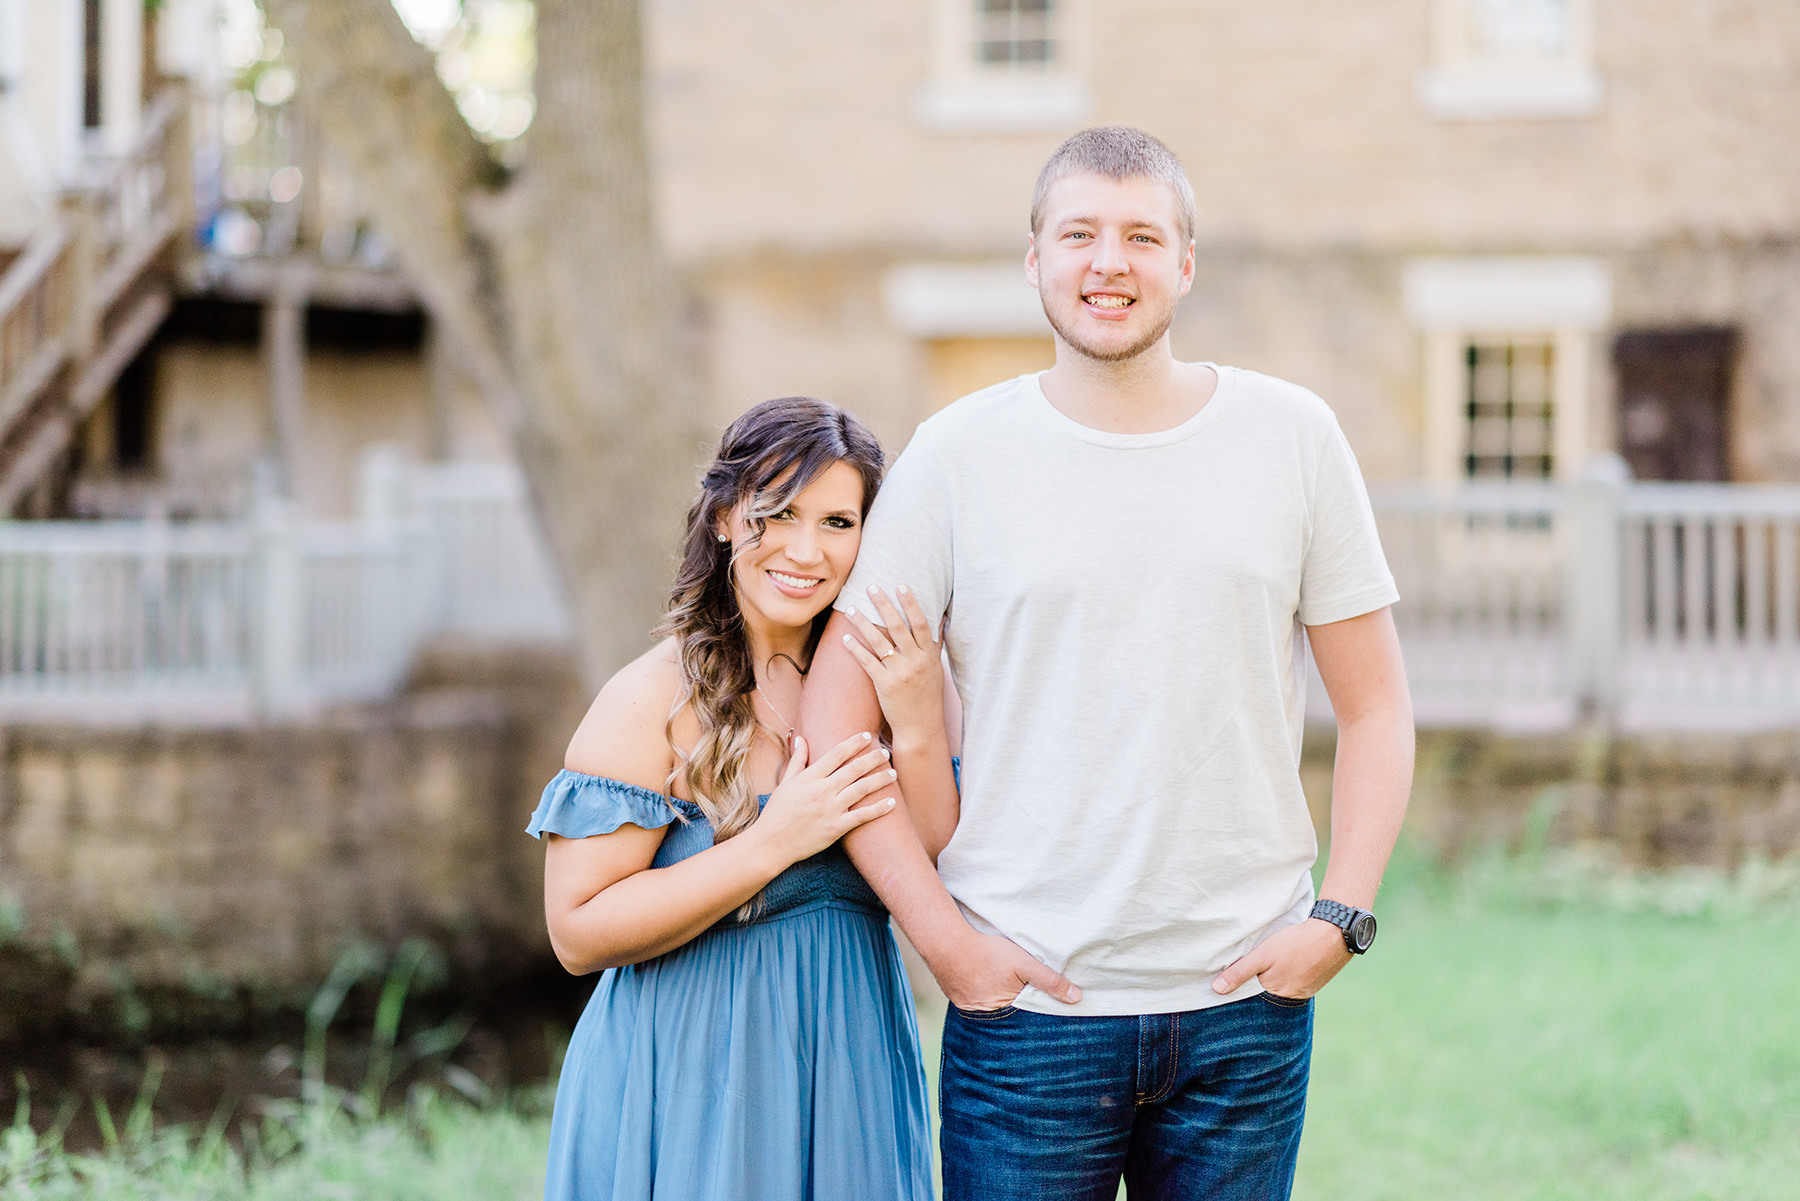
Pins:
x: 1486, y: 300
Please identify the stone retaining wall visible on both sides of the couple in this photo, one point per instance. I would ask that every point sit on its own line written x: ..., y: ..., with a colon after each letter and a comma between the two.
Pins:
x: 161, y: 878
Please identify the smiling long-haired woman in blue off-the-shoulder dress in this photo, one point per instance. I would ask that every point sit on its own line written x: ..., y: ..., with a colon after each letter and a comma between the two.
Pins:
x: 755, y: 1038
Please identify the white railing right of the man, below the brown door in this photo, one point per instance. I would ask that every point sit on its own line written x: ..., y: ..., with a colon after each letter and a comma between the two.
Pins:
x: 1648, y: 606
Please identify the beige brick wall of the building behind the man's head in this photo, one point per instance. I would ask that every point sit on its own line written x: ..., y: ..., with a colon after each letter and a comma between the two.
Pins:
x: 791, y: 170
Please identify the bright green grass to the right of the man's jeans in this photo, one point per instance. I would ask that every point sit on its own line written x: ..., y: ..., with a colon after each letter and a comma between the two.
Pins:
x: 1560, y: 1034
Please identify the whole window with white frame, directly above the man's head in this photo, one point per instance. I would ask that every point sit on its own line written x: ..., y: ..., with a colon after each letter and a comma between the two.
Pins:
x: 1005, y: 66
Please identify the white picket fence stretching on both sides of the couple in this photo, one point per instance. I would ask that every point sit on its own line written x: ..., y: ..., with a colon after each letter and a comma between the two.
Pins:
x: 1524, y: 606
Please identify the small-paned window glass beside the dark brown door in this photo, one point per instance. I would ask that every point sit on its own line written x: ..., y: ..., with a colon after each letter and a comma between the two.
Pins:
x: 1509, y: 429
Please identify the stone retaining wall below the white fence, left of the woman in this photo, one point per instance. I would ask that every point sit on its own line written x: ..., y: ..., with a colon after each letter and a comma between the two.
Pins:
x: 161, y: 876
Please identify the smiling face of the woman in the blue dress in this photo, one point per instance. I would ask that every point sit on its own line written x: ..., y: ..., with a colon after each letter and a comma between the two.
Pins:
x: 805, y: 554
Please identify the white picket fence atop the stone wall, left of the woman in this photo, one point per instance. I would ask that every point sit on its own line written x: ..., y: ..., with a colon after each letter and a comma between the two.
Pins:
x: 201, y: 622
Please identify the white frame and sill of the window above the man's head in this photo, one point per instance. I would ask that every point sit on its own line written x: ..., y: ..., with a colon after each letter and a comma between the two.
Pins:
x: 967, y: 96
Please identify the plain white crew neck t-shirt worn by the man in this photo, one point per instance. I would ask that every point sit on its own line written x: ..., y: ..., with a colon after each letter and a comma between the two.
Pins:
x: 1126, y: 631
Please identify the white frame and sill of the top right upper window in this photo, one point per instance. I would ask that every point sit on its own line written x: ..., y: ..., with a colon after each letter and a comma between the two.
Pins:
x: 1468, y: 84
